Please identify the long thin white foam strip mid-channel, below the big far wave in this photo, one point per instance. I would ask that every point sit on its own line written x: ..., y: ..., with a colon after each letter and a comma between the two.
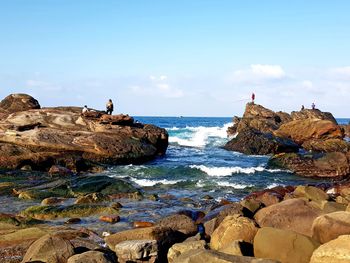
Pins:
x: 227, y: 171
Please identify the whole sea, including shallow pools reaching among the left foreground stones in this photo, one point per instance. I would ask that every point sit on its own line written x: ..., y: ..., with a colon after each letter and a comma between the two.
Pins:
x: 194, y: 173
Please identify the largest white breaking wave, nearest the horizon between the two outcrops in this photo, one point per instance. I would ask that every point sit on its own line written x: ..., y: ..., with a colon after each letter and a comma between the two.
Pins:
x: 199, y: 136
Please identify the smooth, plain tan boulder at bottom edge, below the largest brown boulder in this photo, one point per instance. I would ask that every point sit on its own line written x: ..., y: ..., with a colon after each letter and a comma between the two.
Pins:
x: 283, y: 245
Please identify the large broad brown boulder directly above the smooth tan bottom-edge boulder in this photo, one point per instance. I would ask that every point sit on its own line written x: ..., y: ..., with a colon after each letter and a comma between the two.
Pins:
x: 293, y: 214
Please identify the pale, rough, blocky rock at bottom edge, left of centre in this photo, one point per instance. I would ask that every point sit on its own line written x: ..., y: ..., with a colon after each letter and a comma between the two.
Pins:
x: 137, y: 250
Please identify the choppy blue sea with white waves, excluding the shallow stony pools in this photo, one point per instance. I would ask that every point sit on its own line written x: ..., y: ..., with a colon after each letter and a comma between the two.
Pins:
x: 195, y: 164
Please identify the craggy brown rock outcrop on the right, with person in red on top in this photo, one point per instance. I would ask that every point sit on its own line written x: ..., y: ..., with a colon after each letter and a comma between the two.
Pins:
x: 324, y: 152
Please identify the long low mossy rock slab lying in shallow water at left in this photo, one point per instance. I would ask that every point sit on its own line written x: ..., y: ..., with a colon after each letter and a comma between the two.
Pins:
x: 52, y: 212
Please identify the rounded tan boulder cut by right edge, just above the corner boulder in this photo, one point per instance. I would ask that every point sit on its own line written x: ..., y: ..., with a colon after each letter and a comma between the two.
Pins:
x: 330, y: 226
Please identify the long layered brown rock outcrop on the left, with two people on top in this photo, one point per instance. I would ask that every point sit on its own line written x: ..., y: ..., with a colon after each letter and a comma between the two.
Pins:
x: 41, y: 138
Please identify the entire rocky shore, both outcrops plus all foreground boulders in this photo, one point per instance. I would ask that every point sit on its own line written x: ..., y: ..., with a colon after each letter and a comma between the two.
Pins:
x: 46, y: 154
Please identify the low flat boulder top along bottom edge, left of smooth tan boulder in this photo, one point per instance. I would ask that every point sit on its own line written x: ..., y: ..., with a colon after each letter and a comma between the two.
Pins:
x: 212, y: 256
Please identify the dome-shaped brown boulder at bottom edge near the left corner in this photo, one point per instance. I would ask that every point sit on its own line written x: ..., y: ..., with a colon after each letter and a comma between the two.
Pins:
x: 49, y: 249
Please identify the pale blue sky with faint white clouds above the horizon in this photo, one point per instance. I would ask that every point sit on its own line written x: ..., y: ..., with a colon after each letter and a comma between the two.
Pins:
x: 178, y: 57
